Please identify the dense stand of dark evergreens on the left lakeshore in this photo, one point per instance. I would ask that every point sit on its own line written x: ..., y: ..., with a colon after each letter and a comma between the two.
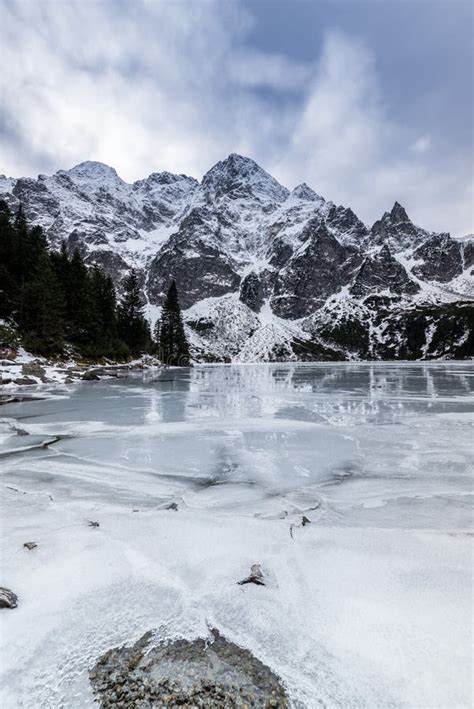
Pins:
x: 53, y: 297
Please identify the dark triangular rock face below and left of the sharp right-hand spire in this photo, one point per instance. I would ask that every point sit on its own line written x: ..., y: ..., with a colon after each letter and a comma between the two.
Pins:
x: 383, y: 272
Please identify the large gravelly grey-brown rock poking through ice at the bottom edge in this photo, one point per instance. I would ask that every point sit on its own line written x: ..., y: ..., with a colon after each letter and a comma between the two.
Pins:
x: 213, y: 673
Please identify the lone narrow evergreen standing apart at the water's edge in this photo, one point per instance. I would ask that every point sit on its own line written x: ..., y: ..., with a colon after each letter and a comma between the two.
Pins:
x: 173, y: 345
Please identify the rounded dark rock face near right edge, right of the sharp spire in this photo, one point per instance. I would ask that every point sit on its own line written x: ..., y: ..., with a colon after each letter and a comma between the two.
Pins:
x: 442, y: 259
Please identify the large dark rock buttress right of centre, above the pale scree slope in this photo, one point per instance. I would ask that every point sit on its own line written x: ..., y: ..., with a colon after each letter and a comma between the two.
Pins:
x: 316, y: 270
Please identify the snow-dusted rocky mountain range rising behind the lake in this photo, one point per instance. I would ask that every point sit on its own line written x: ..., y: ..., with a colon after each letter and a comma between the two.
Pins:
x: 264, y: 273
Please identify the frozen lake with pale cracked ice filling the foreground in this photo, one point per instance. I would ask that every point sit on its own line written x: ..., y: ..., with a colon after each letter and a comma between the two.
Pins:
x: 370, y: 605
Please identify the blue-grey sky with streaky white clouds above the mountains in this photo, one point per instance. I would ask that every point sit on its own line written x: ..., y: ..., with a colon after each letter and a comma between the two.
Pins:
x: 367, y: 101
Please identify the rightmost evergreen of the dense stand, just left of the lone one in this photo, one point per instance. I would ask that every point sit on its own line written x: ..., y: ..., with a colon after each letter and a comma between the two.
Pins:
x: 133, y: 327
